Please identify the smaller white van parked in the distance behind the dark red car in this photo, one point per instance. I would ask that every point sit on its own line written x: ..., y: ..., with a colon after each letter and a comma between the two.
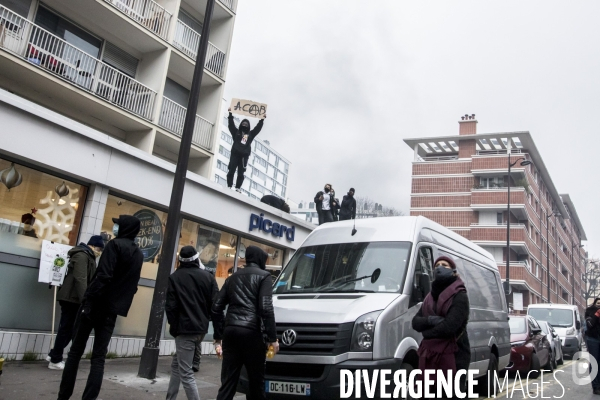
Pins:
x: 566, y: 321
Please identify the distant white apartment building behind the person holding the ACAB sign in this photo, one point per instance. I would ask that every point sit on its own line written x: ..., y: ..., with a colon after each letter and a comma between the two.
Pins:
x: 267, y: 171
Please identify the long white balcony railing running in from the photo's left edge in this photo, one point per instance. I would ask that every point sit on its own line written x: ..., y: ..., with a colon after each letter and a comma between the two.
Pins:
x: 46, y: 50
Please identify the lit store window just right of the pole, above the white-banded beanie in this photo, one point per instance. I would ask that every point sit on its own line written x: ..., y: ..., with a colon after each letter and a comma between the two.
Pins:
x: 216, y: 248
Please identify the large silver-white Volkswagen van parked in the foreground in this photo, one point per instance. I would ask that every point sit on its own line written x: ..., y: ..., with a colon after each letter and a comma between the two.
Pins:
x: 346, y: 301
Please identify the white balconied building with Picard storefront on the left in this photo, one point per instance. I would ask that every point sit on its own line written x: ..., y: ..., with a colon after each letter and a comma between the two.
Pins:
x: 90, y: 131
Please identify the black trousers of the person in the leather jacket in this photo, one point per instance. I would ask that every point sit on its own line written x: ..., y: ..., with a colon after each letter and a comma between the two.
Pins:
x: 243, y: 347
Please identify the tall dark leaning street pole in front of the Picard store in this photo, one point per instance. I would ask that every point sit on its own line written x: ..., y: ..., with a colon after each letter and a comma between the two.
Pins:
x: 149, y: 359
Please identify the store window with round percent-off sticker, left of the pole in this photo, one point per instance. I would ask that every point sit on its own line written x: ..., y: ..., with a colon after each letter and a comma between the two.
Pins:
x: 151, y: 233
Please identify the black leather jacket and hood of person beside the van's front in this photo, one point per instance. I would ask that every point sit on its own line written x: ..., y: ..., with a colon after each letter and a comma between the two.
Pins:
x: 249, y: 296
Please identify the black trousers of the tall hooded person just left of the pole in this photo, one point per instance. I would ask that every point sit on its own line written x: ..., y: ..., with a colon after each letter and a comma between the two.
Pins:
x: 103, y: 324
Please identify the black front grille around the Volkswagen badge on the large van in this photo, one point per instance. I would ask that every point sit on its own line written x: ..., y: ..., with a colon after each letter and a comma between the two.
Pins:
x: 317, y: 339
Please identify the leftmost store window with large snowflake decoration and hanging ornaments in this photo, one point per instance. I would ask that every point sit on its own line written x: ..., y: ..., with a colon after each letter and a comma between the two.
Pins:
x: 35, y: 206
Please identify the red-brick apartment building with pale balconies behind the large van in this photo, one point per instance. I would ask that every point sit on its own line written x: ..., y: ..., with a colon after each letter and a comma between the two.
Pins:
x: 461, y: 182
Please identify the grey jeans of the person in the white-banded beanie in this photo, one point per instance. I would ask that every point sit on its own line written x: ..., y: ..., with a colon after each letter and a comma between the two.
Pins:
x: 181, y: 367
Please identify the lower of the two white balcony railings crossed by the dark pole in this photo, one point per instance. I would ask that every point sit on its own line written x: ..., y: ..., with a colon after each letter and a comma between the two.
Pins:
x: 172, y: 118
